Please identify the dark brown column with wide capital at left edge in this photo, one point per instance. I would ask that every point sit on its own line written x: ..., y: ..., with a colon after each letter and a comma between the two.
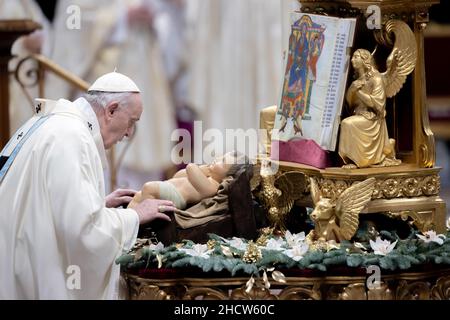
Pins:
x: 10, y: 30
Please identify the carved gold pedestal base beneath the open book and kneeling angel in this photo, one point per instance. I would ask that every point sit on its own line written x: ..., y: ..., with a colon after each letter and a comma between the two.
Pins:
x: 404, y: 191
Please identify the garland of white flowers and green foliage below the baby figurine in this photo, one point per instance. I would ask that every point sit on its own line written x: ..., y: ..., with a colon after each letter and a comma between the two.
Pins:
x: 239, y: 255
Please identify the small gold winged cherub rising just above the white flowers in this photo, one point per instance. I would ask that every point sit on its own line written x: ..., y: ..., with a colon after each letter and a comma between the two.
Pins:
x: 339, y: 219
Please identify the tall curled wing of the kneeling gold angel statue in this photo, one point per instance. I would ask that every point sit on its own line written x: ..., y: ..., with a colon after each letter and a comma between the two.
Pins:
x: 402, y: 60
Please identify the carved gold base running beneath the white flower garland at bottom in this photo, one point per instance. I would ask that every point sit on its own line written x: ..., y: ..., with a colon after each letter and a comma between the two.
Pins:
x: 432, y: 285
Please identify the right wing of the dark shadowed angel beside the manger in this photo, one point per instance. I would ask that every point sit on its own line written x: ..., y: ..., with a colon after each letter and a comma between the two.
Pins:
x: 292, y: 185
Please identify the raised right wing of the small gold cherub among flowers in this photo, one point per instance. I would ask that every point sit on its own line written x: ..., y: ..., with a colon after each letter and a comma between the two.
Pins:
x: 350, y: 203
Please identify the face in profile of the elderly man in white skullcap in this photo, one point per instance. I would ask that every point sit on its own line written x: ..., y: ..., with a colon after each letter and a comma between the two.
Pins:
x: 121, y: 120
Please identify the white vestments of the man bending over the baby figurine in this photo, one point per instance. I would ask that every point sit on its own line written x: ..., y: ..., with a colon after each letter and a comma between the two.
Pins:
x: 57, y: 237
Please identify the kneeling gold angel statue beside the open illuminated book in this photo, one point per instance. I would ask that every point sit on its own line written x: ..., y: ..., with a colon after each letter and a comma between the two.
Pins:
x: 364, y: 139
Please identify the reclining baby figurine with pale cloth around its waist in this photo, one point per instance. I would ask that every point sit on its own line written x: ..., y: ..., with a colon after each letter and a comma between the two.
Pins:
x: 191, y: 185
